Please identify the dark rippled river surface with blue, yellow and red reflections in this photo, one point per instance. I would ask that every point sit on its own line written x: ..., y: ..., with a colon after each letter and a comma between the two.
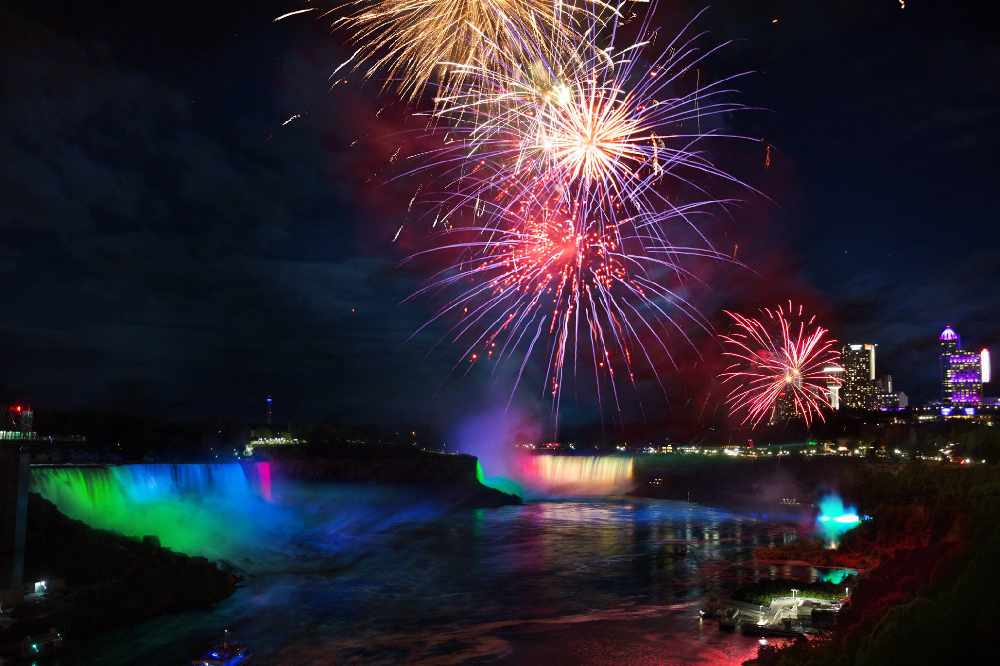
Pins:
x: 505, y: 584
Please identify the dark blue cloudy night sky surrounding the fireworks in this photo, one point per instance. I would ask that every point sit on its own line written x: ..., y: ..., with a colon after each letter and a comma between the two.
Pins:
x: 170, y: 246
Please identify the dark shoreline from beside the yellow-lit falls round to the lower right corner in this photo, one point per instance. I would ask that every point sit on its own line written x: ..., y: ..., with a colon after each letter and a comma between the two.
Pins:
x: 928, y: 592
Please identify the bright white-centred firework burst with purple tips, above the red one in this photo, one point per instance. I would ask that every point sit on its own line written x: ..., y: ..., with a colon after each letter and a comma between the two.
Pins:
x: 599, y: 129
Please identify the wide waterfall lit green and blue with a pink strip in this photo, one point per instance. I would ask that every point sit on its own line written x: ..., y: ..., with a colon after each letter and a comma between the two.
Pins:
x: 234, y: 512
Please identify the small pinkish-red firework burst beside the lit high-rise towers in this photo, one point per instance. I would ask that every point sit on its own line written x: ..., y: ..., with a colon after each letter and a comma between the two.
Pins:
x: 780, y: 355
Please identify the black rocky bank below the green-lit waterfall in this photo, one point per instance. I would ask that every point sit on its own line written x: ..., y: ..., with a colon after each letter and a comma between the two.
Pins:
x: 98, y: 580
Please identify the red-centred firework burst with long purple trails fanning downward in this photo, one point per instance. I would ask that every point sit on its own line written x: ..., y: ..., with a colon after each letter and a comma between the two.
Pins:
x: 553, y: 280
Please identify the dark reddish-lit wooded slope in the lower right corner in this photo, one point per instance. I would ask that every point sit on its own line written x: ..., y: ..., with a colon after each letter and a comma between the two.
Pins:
x: 930, y: 596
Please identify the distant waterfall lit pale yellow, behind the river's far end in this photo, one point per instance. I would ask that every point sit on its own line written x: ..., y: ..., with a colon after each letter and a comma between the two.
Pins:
x: 579, y: 475
